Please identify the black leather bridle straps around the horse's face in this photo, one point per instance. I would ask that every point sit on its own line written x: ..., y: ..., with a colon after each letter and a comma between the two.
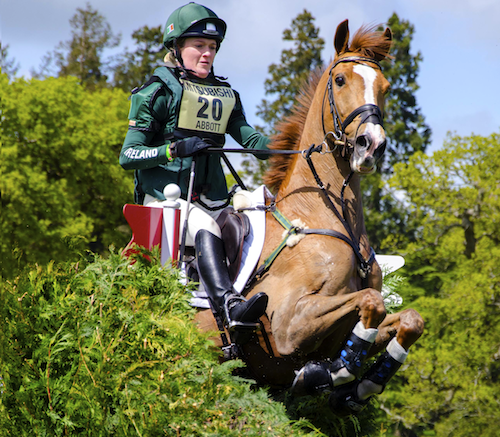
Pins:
x: 368, y: 112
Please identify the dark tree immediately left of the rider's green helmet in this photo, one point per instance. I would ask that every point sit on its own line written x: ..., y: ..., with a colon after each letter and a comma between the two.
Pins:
x: 134, y: 68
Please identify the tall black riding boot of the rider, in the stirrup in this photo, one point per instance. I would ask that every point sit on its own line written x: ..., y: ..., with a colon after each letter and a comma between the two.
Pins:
x: 212, y: 268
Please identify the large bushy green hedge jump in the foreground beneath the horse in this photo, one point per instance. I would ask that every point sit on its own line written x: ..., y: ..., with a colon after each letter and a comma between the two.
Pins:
x: 111, y: 349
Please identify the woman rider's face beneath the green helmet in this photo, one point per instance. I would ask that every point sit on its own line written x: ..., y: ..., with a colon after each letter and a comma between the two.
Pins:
x: 198, y: 55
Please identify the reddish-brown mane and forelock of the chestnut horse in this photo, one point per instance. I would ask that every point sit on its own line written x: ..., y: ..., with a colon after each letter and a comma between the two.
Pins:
x: 367, y: 42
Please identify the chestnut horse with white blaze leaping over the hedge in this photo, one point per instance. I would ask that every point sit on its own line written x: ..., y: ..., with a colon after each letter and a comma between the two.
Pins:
x: 322, y: 287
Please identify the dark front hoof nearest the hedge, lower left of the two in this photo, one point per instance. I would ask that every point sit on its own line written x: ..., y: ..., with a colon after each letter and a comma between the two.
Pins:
x: 312, y: 379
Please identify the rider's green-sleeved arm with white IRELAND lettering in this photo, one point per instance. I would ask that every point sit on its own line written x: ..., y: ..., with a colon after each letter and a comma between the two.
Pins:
x: 144, y: 146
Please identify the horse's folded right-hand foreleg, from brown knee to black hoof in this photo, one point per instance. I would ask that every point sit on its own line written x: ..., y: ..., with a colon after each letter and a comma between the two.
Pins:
x: 398, y: 331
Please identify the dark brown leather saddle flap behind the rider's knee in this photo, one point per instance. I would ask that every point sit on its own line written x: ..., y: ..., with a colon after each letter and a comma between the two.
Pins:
x: 234, y: 228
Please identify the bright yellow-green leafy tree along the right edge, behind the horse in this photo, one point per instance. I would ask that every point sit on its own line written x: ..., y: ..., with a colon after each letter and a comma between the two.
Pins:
x: 451, y: 384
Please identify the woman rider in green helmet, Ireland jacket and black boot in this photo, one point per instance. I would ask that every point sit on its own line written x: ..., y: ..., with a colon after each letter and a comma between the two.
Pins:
x: 180, y: 111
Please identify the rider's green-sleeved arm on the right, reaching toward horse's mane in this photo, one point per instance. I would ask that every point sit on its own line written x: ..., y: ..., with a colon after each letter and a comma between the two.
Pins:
x: 243, y: 133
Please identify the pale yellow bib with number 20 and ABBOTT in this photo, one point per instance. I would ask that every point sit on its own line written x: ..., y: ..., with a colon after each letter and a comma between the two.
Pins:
x: 205, y: 108
